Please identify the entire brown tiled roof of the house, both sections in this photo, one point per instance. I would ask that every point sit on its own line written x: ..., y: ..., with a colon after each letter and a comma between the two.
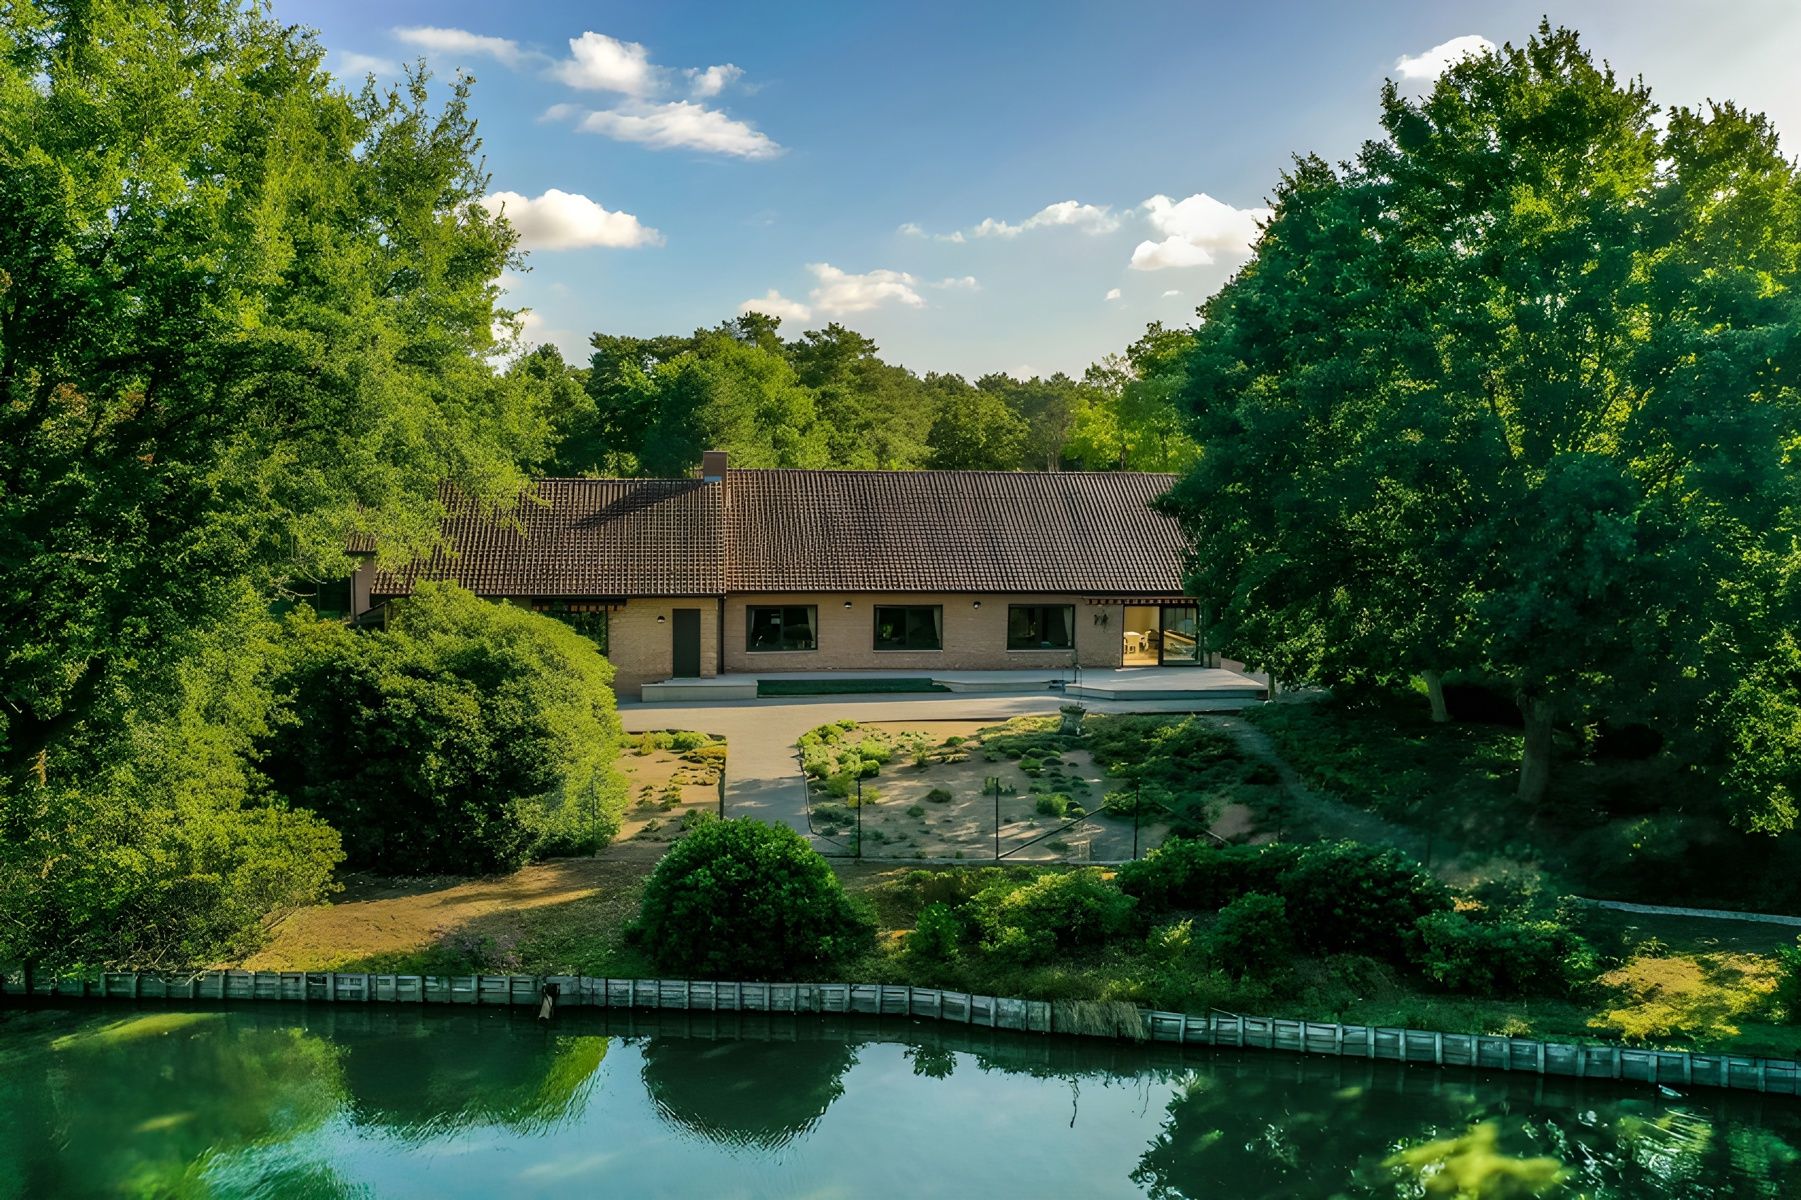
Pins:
x: 817, y: 531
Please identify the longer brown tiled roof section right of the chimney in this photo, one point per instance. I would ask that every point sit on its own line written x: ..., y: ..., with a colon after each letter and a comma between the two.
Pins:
x: 950, y: 531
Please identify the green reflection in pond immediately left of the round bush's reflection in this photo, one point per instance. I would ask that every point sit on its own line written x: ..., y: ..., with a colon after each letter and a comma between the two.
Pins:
x: 453, y: 1073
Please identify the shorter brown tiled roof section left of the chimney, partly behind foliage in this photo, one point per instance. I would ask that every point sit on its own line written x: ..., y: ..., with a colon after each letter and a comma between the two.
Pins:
x: 583, y: 538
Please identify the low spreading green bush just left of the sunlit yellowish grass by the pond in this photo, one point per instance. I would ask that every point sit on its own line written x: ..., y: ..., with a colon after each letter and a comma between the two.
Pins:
x: 1503, y: 956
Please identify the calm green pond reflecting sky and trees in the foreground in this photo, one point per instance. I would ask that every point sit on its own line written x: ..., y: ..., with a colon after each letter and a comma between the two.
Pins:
x: 397, y: 1102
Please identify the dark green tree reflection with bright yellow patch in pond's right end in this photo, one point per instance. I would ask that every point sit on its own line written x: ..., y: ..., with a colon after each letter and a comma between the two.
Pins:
x: 1278, y: 1136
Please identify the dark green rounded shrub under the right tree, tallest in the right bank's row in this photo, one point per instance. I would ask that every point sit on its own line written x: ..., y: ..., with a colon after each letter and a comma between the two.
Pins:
x: 1353, y: 898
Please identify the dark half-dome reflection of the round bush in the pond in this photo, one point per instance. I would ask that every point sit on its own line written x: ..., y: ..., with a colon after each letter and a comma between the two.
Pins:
x: 761, y: 1095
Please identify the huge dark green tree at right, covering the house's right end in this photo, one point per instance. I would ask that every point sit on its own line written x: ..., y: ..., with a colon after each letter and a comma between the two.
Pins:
x: 1514, y: 394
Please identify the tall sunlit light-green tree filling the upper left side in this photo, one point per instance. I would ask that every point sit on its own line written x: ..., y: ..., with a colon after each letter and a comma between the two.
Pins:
x: 242, y: 316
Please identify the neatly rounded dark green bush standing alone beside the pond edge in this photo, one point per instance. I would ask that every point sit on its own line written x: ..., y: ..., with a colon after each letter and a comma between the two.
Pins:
x: 745, y: 900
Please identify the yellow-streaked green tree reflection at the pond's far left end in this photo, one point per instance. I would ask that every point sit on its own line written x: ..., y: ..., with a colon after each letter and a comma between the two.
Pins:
x: 152, y: 1104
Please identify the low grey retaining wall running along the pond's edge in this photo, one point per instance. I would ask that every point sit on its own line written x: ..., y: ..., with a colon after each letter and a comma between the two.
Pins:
x: 1218, y: 1030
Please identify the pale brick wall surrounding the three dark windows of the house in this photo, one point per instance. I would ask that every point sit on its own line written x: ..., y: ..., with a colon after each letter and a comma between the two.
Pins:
x: 975, y: 639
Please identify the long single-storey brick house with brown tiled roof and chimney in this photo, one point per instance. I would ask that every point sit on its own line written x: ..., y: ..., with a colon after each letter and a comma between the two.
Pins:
x: 763, y: 572
